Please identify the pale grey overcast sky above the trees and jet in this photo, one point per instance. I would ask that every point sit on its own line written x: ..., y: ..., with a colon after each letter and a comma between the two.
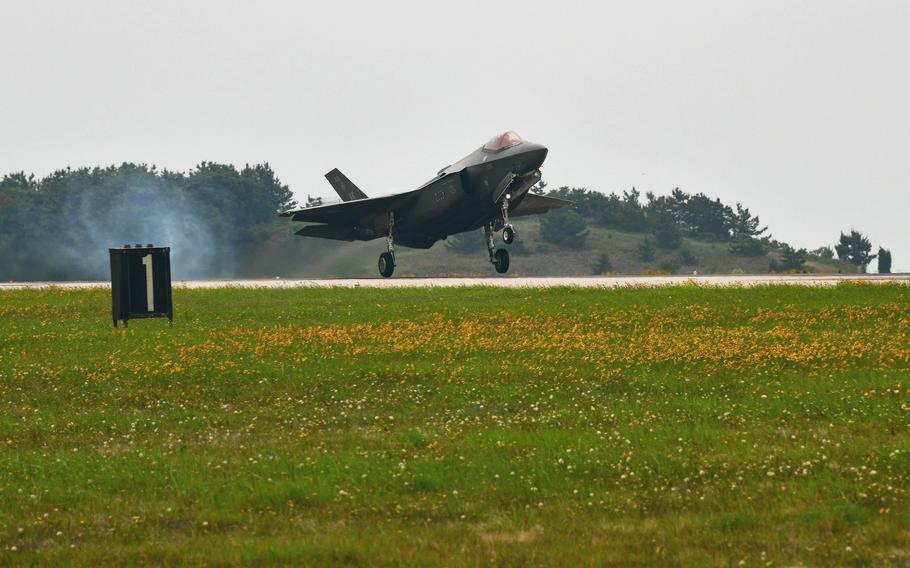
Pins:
x: 799, y: 110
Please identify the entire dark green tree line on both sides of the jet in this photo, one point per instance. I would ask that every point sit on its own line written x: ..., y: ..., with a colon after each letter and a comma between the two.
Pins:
x: 215, y: 216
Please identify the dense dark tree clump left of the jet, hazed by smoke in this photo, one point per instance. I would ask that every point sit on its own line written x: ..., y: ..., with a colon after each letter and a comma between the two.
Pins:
x: 59, y: 227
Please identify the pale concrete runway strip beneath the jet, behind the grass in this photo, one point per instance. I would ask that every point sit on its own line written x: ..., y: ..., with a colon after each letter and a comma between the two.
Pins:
x: 503, y: 282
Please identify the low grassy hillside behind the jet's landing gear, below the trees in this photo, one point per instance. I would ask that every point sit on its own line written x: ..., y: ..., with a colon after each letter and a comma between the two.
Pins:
x: 289, y: 256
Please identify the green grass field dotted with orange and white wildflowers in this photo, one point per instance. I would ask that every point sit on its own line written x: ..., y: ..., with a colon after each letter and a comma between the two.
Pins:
x: 675, y: 426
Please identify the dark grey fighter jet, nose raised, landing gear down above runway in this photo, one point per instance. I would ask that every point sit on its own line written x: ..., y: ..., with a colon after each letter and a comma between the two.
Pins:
x: 483, y: 189
